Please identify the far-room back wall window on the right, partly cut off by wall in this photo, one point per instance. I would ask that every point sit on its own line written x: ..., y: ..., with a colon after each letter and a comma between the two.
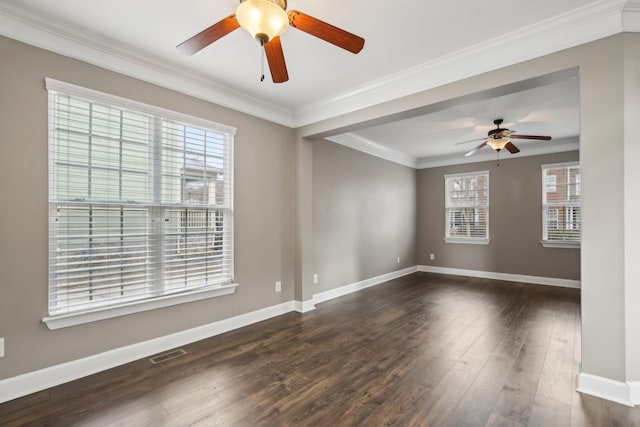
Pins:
x: 561, y: 223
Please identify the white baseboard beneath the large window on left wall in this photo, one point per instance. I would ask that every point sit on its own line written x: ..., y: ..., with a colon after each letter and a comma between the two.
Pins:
x: 22, y: 385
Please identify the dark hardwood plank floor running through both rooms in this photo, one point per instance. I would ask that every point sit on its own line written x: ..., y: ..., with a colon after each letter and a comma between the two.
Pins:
x: 424, y: 350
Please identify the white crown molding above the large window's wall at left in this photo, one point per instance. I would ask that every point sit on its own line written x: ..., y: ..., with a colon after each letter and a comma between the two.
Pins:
x: 27, y: 27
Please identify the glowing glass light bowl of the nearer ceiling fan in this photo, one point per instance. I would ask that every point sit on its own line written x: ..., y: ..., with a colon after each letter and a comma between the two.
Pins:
x: 263, y: 19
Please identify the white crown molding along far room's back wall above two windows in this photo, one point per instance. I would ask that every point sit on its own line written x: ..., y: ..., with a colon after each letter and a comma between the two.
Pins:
x: 531, y: 149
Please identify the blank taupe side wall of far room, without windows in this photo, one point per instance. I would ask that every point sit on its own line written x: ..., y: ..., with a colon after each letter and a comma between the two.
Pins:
x: 364, y: 215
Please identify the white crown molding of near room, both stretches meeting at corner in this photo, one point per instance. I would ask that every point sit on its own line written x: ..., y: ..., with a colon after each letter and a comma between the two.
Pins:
x: 576, y: 27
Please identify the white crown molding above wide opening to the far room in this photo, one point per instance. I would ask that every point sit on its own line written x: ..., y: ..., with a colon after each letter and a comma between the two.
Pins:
x: 579, y: 26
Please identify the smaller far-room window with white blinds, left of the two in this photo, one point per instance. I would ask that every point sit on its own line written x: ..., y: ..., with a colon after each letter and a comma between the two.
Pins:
x: 467, y: 208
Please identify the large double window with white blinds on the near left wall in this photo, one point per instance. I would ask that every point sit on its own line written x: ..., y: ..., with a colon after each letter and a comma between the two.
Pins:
x: 140, y: 203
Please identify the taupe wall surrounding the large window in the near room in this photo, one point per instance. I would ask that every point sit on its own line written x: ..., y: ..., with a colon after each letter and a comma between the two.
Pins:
x: 264, y: 213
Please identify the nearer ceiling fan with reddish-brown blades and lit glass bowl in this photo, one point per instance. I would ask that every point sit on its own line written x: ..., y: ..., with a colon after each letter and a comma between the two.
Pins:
x: 266, y: 20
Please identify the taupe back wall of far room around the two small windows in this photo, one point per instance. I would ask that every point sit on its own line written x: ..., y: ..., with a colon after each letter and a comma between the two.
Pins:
x: 515, y: 221
